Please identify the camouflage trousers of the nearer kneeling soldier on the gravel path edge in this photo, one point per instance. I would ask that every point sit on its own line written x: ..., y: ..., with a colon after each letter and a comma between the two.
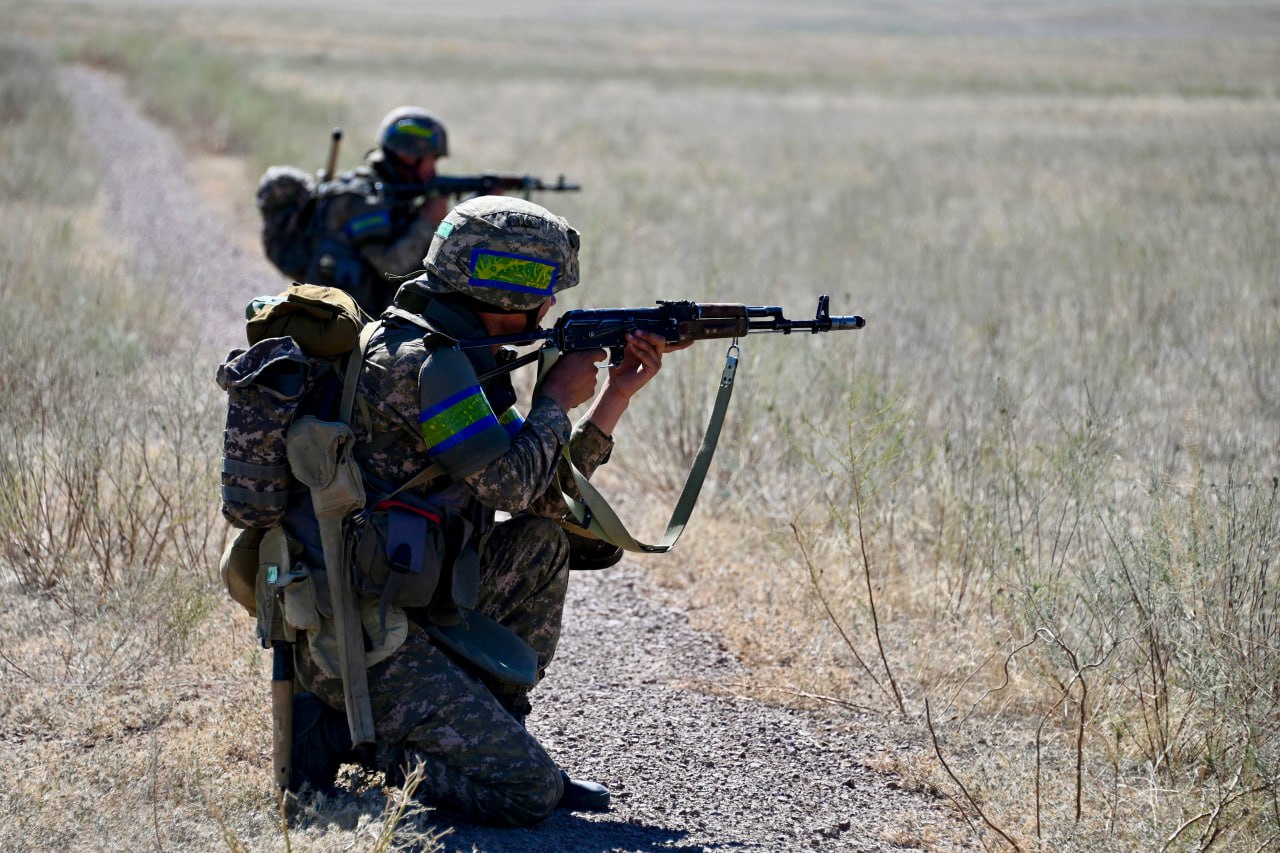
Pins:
x: 479, y: 761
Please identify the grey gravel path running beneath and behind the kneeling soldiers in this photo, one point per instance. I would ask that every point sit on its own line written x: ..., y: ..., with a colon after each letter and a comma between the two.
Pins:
x: 689, y: 770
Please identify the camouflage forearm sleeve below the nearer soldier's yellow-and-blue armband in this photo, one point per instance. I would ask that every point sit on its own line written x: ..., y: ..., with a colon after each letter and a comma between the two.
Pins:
x: 523, y: 475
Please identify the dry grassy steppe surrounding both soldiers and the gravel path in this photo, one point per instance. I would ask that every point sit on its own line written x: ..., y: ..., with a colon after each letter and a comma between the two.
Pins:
x: 1022, y: 530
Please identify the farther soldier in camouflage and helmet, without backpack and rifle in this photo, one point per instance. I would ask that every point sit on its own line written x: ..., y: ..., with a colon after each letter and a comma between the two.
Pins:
x: 362, y: 235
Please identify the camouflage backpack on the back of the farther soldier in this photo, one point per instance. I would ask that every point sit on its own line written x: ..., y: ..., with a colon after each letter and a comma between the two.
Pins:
x: 287, y: 202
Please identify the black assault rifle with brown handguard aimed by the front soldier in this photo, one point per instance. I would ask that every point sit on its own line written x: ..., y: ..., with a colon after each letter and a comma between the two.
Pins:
x: 678, y: 322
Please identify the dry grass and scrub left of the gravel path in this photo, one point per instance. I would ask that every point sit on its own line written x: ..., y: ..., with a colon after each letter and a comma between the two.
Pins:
x: 132, y: 711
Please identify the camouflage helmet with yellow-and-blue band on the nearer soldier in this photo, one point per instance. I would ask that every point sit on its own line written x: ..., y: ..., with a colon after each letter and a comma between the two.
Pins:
x: 506, y: 253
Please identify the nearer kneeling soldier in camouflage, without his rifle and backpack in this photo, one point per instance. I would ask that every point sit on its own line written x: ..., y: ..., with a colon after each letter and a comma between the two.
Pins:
x: 492, y: 270
